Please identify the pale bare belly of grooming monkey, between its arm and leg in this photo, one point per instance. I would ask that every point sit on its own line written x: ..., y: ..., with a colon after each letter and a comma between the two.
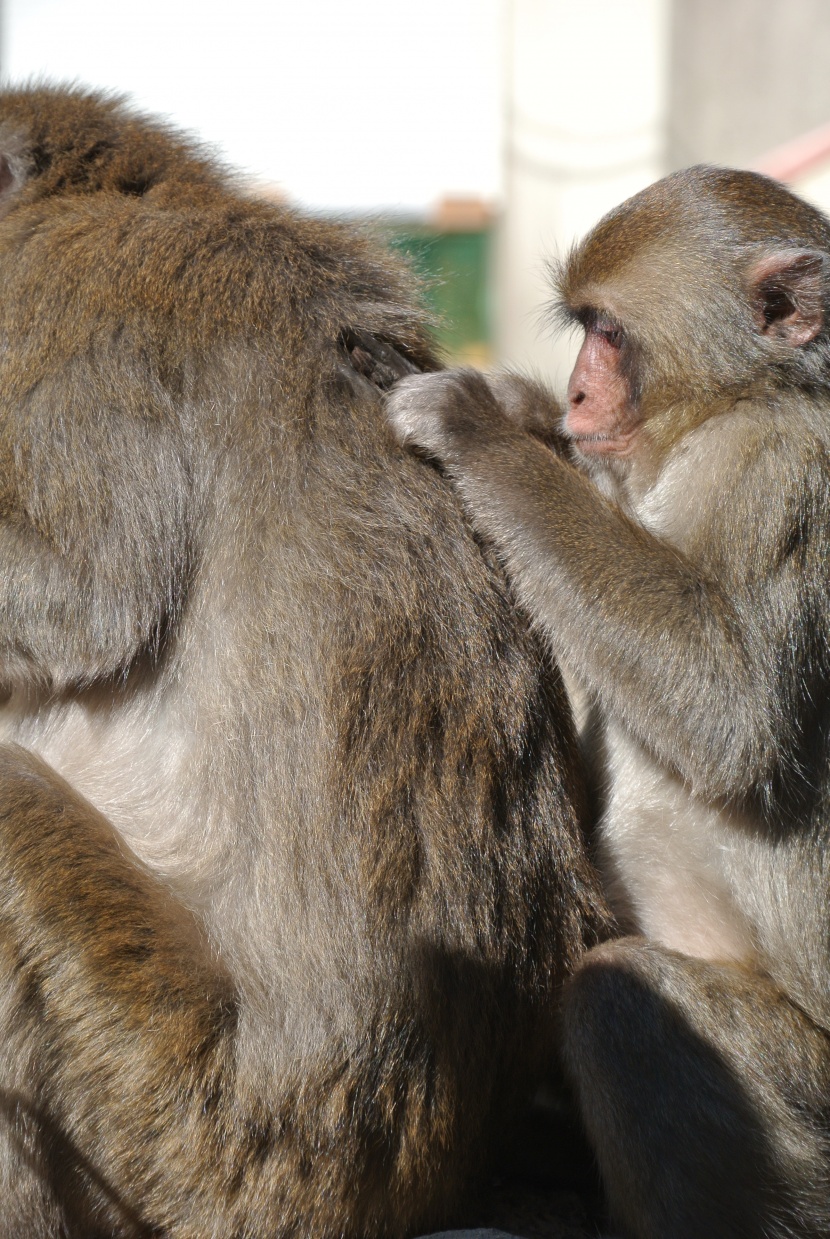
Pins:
x: 672, y: 865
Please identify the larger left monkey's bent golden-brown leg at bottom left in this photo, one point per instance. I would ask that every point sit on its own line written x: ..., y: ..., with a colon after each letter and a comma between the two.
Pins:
x: 116, y: 1029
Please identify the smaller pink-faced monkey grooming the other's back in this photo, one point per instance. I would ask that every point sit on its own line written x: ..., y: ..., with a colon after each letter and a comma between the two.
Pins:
x: 672, y: 540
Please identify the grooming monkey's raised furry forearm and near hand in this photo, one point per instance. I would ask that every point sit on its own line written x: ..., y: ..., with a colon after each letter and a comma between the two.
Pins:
x: 668, y: 651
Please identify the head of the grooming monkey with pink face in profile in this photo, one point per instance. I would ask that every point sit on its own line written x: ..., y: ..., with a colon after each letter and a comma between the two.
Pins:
x: 708, y: 288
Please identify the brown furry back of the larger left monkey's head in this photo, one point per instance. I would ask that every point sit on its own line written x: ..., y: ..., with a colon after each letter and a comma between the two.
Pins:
x: 75, y: 142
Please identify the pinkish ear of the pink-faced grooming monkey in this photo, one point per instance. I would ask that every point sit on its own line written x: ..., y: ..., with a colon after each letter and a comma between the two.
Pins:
x: 787, y: 289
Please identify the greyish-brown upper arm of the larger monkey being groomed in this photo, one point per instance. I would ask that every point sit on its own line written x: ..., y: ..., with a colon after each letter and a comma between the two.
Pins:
x: 96, y: 531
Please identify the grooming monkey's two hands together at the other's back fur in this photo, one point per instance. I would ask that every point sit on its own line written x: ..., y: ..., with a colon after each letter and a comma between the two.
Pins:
x: 449, y: 414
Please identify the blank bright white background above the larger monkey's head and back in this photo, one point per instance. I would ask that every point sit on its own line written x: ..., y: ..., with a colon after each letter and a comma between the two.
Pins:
x: 367, y: 105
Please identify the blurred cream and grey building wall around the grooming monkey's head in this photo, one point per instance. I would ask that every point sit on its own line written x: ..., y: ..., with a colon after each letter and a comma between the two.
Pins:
x: 605, y: 97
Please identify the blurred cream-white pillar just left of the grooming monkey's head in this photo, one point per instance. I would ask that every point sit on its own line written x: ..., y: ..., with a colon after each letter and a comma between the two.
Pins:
x: 585, y: 131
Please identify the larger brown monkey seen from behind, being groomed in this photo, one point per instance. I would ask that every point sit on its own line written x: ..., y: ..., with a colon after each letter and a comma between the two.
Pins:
x: 292, y: 811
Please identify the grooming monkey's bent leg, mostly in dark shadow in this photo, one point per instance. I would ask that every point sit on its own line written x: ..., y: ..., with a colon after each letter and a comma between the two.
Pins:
x: 707, y: 1096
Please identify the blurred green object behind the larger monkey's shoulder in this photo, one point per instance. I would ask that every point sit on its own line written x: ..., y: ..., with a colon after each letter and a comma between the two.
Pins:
x: 454, y: 266
